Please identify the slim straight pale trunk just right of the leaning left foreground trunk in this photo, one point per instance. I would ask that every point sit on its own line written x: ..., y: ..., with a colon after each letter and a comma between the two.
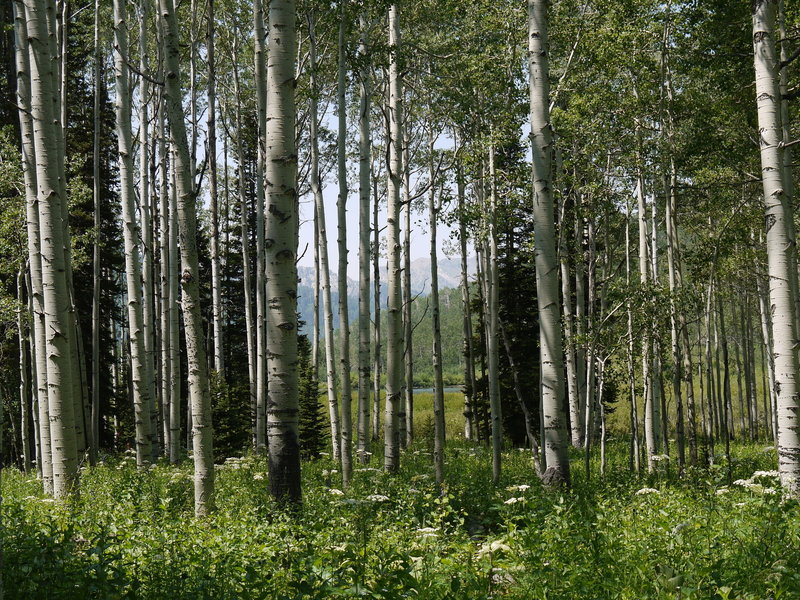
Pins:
x: 211, y: 151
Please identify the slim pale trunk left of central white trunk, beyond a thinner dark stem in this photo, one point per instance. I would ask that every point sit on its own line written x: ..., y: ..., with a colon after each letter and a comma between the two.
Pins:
x: 364, y: 165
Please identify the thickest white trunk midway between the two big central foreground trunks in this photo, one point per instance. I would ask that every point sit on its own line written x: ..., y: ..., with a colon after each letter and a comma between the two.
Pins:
x: 394, y: 322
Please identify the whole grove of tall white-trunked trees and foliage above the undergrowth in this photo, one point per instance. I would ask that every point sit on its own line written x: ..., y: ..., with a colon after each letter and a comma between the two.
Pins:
x: 614, y: 179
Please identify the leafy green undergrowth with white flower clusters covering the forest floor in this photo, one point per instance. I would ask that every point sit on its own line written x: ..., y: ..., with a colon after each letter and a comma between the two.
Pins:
x: 131, y: 534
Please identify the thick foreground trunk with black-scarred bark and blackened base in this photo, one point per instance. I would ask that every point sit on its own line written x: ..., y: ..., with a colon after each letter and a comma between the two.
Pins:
x: 281, y: 241
